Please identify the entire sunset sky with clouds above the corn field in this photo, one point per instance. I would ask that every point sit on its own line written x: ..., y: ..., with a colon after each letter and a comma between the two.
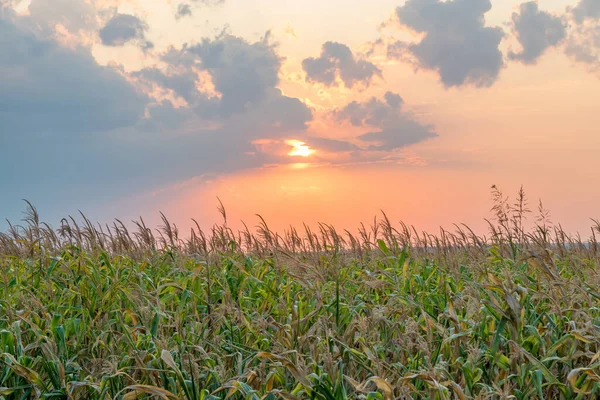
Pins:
x: 301, y: 112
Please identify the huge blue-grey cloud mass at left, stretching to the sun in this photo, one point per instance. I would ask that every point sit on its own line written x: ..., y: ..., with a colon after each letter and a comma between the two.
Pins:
x: 81, y: 134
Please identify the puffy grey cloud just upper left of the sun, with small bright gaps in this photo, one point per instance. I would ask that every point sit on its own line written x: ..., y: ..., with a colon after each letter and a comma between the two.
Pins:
x: 245, y: 77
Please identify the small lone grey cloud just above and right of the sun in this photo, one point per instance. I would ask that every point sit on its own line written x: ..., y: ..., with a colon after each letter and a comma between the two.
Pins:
x: 337, y: 61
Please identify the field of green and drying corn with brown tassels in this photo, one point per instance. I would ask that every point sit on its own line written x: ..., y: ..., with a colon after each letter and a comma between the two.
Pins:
x: 390, y: 313
